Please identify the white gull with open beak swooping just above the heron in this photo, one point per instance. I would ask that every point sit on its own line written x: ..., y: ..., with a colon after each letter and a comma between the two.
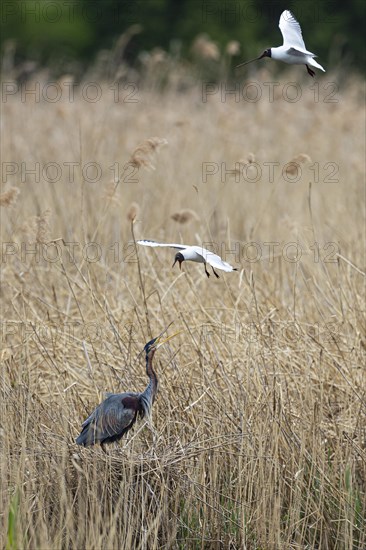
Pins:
x: 194, y: 254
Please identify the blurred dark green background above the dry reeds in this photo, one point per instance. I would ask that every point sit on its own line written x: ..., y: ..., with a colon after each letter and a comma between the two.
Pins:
x: 68, y: 34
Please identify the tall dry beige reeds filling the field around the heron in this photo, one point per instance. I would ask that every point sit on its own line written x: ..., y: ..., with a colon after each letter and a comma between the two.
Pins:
x: 258, y: 437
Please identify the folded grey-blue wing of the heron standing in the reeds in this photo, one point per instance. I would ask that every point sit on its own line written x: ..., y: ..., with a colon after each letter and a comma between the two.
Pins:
x: 110, y: 419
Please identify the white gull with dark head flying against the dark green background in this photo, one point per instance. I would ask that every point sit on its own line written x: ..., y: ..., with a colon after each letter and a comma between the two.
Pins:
x: 293, y: 50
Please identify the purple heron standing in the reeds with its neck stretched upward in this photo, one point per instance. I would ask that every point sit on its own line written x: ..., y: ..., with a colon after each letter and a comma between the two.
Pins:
x: 118, y: 412
